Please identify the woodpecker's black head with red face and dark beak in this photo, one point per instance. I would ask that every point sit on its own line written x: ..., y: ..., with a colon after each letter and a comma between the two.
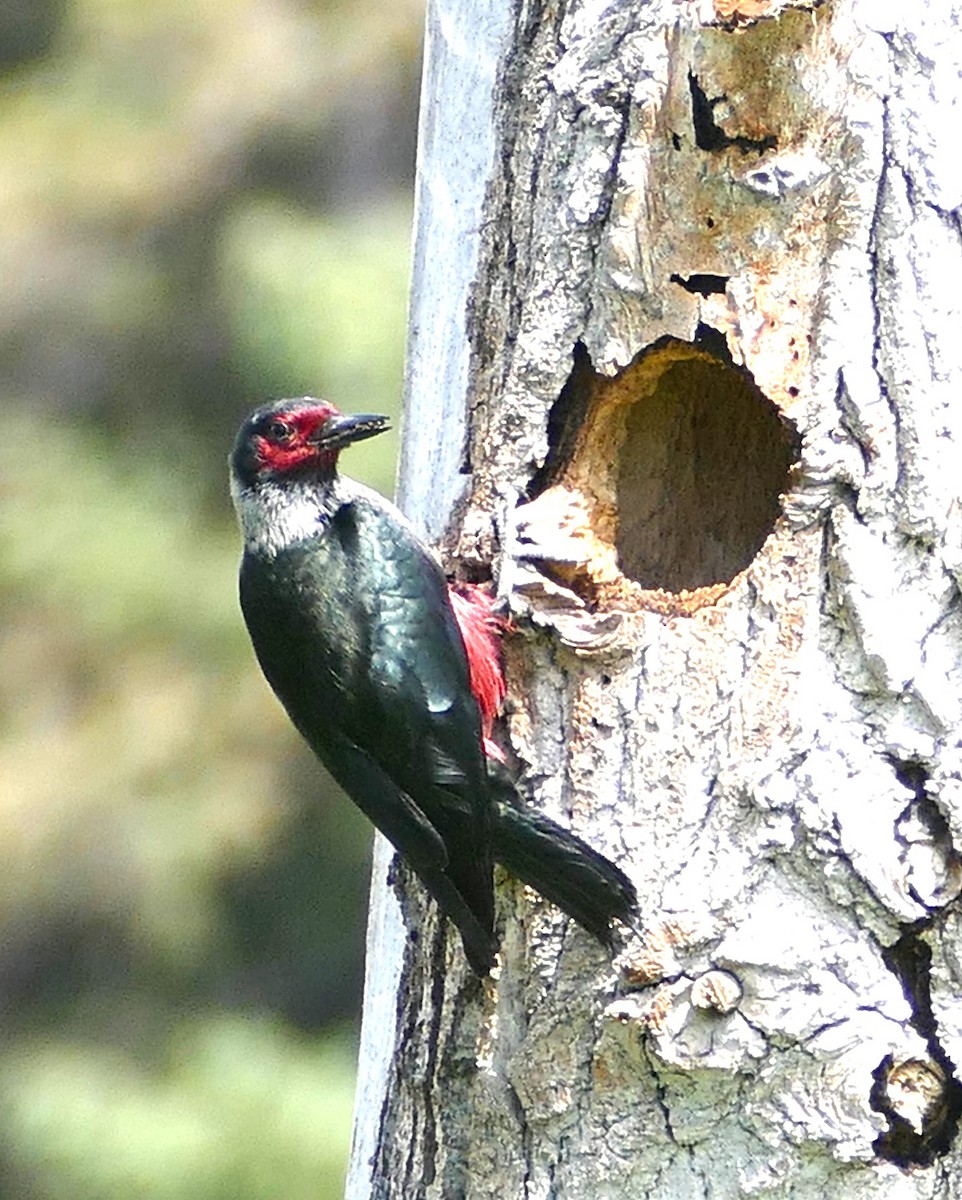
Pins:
x: 292, y: 440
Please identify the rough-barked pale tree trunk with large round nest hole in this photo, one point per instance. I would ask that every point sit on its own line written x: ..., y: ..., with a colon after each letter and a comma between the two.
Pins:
x: 704, y: 405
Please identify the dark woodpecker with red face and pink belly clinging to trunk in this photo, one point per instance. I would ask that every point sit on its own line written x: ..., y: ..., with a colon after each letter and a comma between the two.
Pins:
x: 393, y: 677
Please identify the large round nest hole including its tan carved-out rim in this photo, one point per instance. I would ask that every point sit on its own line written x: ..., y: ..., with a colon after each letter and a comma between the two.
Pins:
x: 678, y: 465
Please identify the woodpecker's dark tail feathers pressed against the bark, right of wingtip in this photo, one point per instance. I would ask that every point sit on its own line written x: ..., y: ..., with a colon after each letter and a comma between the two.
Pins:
x: 563, y: 868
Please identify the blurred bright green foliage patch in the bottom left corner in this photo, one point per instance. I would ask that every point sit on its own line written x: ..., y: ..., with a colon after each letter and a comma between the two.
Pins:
x: 237, y: 1108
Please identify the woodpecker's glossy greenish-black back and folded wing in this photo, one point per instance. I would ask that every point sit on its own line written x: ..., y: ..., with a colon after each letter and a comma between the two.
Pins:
x: 356, y: 634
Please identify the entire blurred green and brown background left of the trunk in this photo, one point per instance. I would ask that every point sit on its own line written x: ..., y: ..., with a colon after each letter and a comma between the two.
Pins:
x: 202, y: 203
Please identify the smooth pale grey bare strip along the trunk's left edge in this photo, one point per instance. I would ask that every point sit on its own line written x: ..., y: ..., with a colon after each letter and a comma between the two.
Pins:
x: 455, y: 152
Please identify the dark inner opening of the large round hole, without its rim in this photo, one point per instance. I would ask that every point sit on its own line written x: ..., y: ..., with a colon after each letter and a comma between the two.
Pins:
x: 702, y: 469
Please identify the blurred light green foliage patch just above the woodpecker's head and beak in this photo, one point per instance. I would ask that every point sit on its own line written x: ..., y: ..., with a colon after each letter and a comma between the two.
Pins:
x: 336, y: 323
